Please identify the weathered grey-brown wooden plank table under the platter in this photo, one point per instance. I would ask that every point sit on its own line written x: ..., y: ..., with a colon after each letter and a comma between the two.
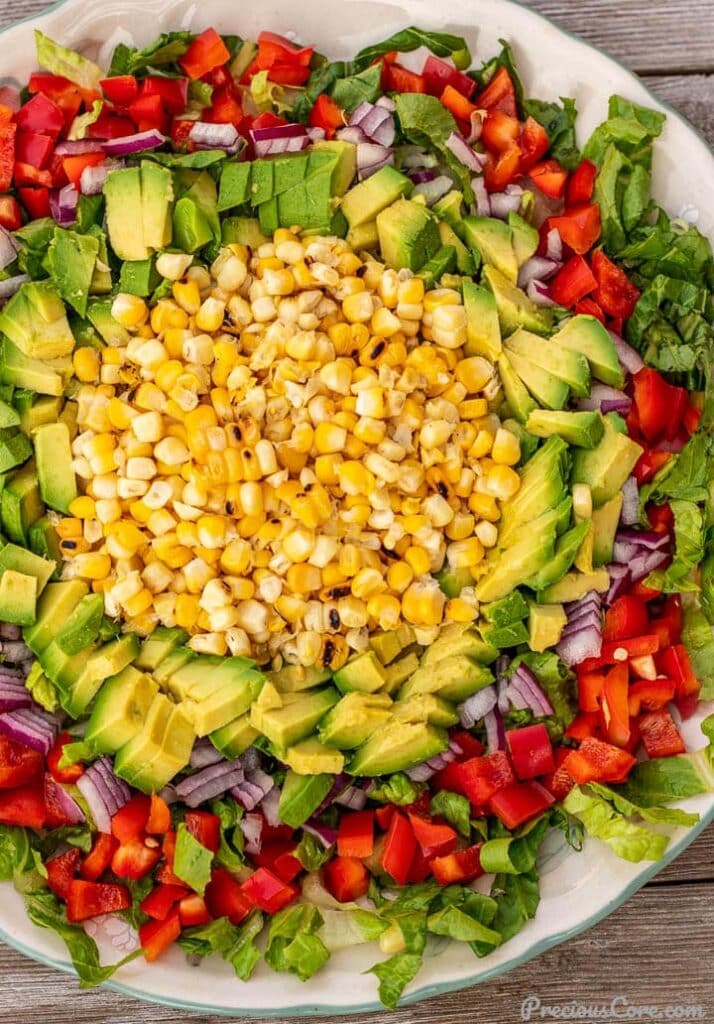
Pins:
x: 657, y: 950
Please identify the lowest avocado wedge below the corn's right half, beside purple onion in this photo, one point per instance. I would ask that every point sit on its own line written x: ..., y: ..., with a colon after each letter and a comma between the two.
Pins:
x: 398, y: 747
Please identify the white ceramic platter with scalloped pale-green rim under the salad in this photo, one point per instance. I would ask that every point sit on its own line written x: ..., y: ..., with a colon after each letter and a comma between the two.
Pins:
x: 578, y: 890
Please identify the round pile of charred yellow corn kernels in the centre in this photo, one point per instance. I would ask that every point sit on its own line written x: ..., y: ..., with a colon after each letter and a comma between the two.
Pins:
x: 280, y: 455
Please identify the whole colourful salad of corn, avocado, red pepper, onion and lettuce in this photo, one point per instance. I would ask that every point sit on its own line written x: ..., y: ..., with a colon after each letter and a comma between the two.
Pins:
x: 356, y: 455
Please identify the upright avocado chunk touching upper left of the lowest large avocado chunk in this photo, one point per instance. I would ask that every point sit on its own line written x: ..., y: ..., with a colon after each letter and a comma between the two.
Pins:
x: 120, y: 710
